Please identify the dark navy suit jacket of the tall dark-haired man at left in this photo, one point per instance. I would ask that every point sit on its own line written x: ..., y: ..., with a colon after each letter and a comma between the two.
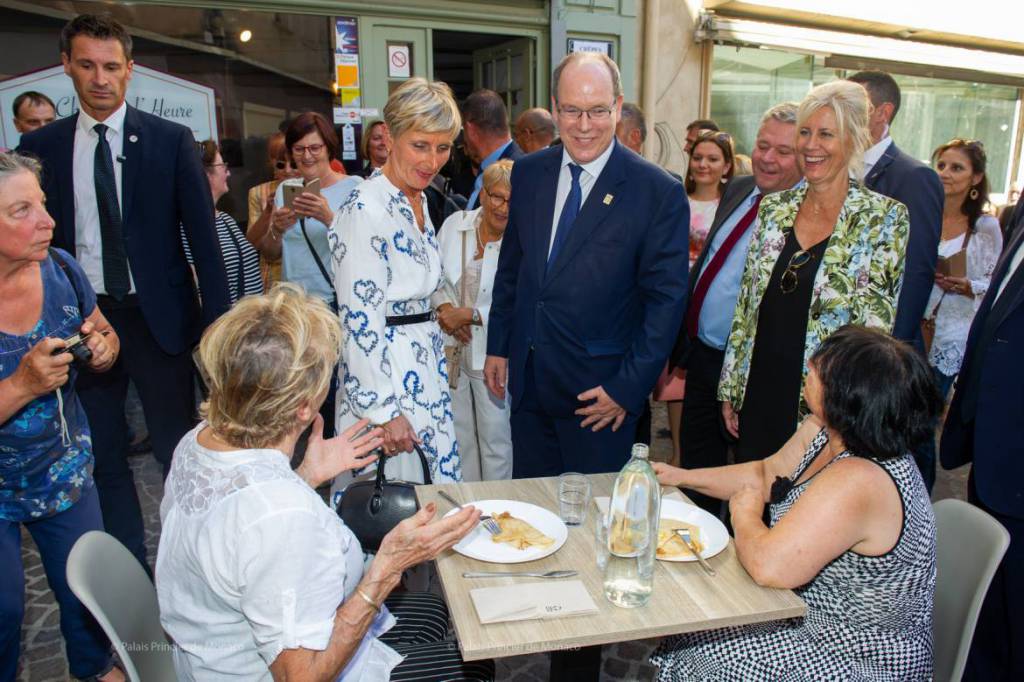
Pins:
x: 163, y: 186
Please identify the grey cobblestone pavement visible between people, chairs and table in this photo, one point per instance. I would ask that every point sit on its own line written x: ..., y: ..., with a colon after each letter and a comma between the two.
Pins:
x: 44, y: 658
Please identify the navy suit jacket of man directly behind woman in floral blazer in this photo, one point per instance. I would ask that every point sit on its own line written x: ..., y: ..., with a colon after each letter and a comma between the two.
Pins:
x: 916, y: 186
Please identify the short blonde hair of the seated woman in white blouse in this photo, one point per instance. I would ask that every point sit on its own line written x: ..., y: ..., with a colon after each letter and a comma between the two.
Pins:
x: 264, y: 360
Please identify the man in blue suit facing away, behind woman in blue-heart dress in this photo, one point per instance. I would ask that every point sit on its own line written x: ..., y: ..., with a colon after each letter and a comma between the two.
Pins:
x: 487, y: 136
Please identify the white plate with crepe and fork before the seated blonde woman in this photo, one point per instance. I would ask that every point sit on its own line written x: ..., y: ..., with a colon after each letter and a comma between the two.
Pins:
x: 479, y: 545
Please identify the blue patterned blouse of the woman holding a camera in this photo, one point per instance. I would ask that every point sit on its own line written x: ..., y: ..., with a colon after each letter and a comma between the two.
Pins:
x: 44, y: 474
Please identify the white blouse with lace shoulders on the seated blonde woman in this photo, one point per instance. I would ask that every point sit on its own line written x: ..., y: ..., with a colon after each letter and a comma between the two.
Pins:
x: 251, y: 563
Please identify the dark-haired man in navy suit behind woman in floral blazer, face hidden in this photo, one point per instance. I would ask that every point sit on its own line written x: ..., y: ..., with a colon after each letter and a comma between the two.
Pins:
x: 891, y: 173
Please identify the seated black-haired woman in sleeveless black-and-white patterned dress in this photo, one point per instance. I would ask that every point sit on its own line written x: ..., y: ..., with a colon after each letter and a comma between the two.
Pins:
x: 851, y: 528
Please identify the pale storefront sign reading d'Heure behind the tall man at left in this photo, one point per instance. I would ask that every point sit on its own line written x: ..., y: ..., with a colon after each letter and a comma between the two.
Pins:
x: 150, y: 91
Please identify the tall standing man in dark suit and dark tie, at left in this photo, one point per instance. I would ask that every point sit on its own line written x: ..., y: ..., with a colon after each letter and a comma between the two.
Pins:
x: 119, y: 183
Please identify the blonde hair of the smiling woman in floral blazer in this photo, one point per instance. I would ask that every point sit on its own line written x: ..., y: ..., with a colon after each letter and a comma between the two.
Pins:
x: 850, y: 105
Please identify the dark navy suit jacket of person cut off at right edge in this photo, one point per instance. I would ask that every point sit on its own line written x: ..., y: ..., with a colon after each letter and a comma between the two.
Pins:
x: 993, y: 439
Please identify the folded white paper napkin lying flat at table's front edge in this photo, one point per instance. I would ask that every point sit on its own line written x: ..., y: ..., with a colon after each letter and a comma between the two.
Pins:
x: 538, y: 601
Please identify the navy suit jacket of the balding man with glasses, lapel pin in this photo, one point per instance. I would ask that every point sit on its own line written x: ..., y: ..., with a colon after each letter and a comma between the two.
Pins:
x: 607, y: 311
